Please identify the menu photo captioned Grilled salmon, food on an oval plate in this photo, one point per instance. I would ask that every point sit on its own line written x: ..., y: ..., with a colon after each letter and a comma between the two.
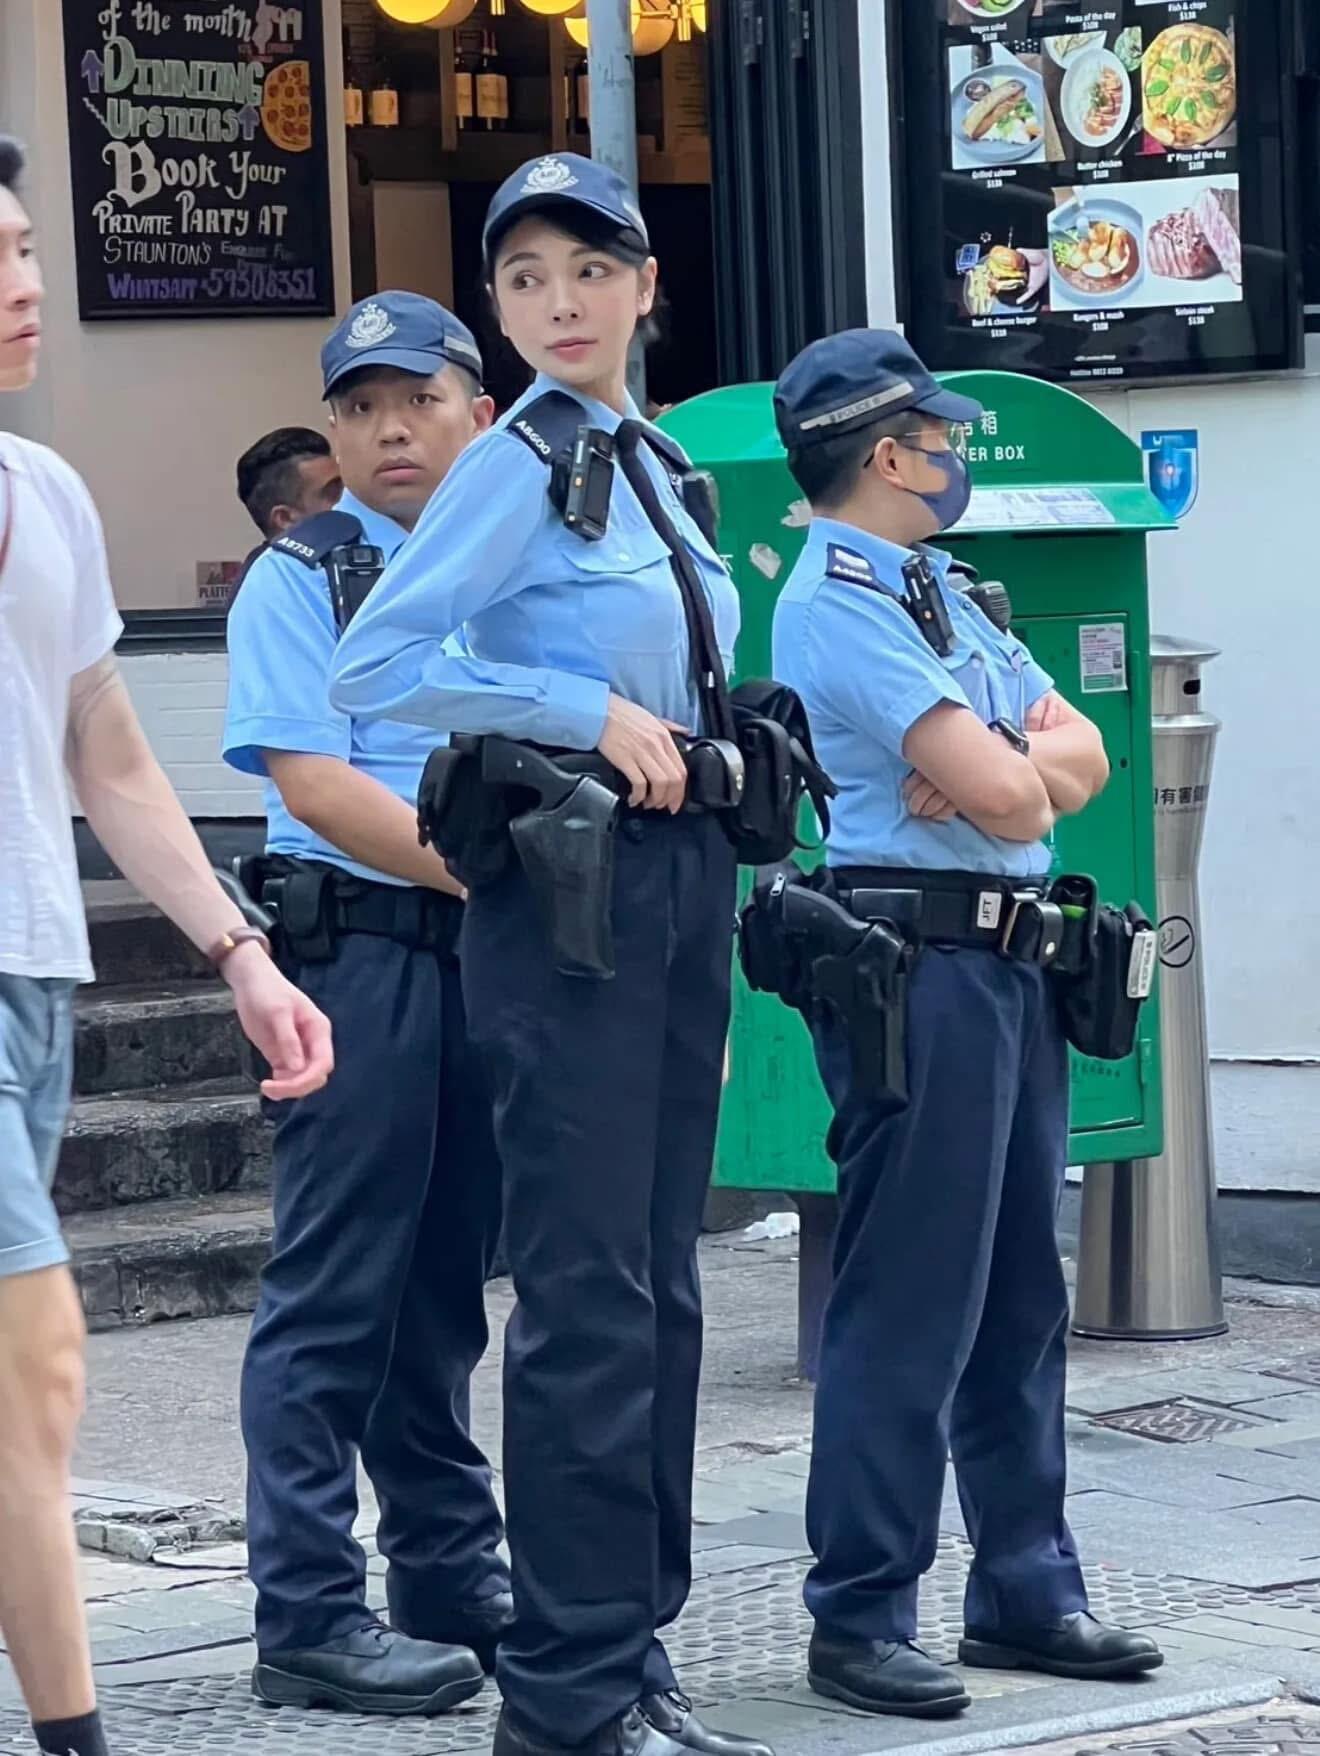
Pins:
x: 998, y: 108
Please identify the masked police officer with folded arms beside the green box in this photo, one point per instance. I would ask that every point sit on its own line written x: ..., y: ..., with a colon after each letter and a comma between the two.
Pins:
x: 949, y: 1316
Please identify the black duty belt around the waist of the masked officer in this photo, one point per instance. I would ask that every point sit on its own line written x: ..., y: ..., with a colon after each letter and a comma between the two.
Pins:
x: 1010, y: 916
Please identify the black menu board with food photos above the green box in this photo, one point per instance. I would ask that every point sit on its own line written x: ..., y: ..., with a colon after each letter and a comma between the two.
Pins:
x: 1098, y: 191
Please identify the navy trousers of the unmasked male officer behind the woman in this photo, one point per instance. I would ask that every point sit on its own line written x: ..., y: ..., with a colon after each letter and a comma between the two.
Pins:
x: 371, y: 1316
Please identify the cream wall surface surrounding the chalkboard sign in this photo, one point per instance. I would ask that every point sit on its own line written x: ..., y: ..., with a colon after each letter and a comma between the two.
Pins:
x: 154, y: 414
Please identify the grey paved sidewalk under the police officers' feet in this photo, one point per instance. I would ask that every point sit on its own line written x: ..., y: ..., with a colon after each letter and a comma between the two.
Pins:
x: 1196, y: 1502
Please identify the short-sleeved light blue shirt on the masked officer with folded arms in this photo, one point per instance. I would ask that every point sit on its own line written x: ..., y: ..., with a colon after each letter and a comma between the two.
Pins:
x: 868, y: 675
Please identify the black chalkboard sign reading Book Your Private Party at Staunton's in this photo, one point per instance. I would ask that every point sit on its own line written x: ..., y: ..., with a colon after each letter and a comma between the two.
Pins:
x: 199, y: 157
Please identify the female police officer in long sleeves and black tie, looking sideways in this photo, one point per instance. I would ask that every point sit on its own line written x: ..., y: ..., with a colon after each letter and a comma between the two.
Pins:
x: 606, y: 1093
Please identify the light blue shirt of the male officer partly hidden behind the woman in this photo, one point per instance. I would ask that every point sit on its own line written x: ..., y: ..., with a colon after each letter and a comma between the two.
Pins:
x: 282, y: 640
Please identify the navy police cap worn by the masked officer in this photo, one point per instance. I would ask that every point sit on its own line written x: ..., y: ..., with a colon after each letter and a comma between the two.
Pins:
x: 849, y: 382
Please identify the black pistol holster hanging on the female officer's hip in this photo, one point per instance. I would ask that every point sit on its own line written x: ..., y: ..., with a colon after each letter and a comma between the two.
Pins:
x: 568, y: 854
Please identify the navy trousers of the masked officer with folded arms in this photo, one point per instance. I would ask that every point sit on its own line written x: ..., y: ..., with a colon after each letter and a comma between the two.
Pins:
x: 947, y: 1325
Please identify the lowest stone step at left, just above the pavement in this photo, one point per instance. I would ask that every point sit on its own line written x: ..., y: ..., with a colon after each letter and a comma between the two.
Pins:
x: 162, y: 1260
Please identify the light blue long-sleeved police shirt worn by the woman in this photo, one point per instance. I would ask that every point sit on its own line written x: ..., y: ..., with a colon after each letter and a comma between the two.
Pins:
x: 552, y: 624
